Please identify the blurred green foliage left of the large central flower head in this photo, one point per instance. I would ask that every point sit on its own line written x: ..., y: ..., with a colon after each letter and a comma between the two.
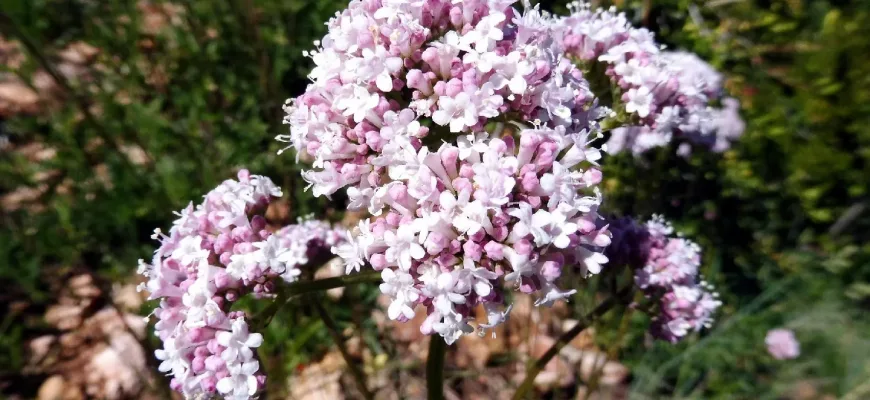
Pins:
x: 179, y: 97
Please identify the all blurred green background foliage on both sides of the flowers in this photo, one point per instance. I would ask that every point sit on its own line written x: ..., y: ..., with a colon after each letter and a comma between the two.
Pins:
x: 197, y: 86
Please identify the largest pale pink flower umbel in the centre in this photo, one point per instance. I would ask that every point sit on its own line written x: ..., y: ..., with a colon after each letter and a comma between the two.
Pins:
x: 467, y: 135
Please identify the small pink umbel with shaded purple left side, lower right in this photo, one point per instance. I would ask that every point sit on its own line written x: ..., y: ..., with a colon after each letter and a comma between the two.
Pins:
x: 666, y: 269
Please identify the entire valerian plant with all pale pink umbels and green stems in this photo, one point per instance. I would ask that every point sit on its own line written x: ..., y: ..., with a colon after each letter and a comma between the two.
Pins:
x: 472, y: 133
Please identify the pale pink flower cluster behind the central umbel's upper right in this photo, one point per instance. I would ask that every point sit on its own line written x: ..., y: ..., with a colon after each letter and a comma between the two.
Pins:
x: 668, y: 93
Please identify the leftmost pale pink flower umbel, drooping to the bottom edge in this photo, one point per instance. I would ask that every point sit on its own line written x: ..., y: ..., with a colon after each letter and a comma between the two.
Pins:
x: 216, y: 252
